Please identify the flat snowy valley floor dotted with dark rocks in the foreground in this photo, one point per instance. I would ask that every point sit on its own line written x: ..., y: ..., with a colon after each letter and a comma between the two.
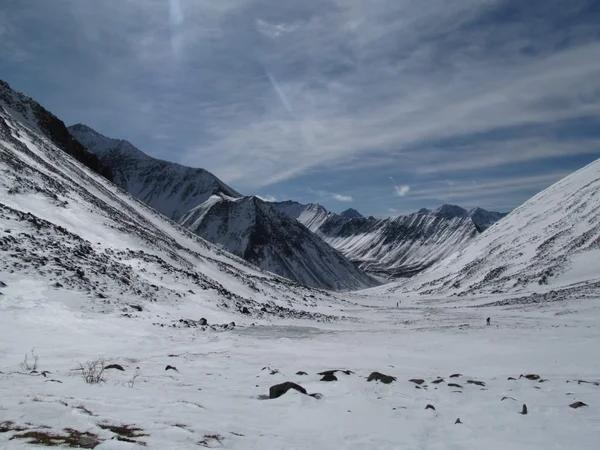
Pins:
x: 212, y: 400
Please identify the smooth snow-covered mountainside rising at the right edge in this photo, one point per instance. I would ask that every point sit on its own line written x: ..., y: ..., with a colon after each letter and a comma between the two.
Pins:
x: 550, y: 242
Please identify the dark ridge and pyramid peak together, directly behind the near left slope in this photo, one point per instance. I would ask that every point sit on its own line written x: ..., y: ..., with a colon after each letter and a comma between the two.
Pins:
x: 245, y: 226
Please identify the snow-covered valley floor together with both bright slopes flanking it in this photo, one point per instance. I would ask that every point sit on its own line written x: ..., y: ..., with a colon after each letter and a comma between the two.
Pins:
x: 90, y: 274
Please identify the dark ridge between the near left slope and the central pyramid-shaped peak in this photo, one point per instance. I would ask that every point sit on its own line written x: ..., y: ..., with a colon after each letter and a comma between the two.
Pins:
x: 170, y: 188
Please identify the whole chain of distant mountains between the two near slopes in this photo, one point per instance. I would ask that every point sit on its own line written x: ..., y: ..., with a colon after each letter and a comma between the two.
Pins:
x: 262, y: 233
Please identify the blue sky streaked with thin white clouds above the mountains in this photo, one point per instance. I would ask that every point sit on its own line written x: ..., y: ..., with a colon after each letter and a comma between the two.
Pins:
x: 385, y: 106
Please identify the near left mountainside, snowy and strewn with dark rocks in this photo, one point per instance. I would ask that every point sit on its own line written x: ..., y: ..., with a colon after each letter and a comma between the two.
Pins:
x: 65, y: 229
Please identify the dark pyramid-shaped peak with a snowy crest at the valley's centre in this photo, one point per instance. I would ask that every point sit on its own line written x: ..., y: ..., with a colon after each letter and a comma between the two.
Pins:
x: 256, y: 231
